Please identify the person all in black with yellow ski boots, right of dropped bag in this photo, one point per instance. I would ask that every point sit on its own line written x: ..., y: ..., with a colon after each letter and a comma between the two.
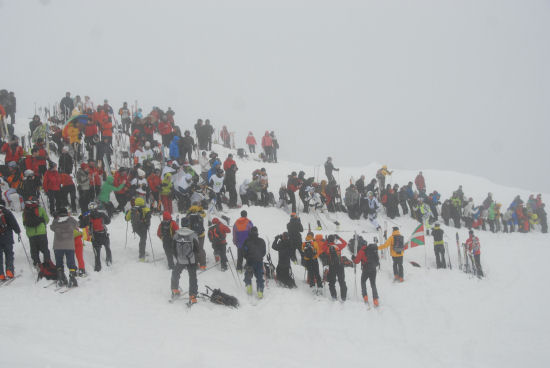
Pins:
x: 254, y: 249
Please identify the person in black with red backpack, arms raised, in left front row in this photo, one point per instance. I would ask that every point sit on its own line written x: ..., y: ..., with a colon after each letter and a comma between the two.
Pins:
x: 96, y: 220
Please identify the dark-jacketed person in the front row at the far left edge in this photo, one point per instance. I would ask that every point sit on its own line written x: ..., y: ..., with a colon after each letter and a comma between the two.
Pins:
x: 8, y: 226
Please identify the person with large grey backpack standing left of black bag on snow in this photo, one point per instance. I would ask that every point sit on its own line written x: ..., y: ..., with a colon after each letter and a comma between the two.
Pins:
x: 186, y: 246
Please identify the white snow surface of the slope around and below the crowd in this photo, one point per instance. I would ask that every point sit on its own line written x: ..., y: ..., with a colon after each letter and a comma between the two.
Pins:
x: 120, y: 317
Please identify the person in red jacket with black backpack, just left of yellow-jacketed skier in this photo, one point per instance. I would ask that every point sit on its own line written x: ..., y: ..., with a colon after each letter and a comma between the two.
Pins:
x: 368, y: 257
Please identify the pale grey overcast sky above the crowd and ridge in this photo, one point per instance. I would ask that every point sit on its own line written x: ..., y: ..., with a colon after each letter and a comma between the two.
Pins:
x: 457, y: 85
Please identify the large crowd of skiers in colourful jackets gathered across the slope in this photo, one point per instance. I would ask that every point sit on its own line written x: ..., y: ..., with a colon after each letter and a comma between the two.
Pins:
x: 99, y: 157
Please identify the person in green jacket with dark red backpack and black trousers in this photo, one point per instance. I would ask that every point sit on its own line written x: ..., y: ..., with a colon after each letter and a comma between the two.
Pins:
x: 35, y: 220
